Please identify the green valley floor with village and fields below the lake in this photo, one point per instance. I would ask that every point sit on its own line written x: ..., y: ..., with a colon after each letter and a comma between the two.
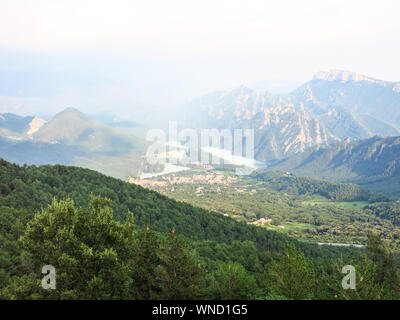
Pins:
x: 312, y: 210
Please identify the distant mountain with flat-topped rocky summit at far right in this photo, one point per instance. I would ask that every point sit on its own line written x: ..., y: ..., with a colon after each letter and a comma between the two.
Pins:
x: 352, y: 105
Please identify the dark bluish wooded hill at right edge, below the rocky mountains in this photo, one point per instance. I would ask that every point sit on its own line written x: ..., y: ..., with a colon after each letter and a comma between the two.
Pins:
x: 373, y: 163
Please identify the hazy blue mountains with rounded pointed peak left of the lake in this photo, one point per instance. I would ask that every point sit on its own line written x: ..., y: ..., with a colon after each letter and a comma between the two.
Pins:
x: 70, y: 138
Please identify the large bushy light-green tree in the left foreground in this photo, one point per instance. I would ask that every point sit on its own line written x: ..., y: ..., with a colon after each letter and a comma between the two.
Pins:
x: 88, y: 249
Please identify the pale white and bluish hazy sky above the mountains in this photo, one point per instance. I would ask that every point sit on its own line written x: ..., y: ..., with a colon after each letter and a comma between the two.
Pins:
x: 124, y: 57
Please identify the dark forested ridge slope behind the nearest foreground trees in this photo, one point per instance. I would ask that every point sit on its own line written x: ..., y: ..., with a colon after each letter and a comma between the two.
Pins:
x: 32, y: 188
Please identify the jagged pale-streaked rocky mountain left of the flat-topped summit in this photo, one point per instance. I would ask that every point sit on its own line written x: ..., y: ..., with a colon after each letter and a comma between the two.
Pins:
x: 281, y: 127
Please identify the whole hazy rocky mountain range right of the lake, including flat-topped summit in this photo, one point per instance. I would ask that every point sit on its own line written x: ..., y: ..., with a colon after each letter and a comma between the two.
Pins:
x: 333, y: 106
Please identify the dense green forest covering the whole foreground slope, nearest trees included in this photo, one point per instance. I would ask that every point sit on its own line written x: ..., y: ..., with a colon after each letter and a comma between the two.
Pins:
x: 108, y: 239
